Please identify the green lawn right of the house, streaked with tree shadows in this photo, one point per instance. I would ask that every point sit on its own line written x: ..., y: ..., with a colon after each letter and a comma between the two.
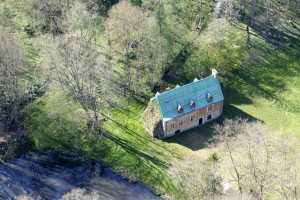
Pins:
x: 269, y: 89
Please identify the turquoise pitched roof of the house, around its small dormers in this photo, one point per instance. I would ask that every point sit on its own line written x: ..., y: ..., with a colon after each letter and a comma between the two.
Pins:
x: 196, y: 91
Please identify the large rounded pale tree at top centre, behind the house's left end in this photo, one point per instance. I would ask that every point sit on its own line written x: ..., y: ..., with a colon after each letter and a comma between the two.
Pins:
x: 133, y: 36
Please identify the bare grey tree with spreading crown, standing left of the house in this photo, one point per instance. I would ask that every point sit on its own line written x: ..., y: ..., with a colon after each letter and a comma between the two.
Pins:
x: 80, y: 69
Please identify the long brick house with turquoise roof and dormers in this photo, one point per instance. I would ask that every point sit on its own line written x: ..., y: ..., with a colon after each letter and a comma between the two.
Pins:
x: 189, y: 106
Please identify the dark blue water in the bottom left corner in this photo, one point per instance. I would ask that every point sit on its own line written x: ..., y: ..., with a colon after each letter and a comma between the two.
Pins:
x: 47, y: 176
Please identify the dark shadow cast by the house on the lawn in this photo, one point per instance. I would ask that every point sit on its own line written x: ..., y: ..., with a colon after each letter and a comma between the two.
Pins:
x: 198, y: 138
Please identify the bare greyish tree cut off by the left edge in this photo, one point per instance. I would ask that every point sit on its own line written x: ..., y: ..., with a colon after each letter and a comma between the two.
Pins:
x: 11, y: 66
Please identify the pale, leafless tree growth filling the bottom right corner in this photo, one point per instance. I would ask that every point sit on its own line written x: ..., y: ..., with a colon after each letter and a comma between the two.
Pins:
x: 260, y: 163
